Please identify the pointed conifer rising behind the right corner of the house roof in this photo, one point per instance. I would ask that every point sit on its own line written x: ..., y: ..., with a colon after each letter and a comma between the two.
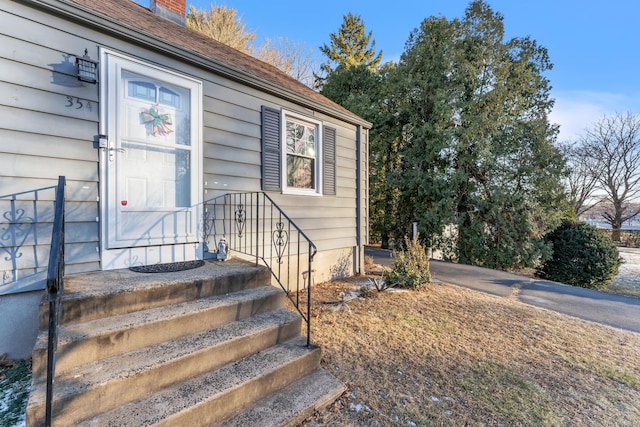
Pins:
x: 355, y: 80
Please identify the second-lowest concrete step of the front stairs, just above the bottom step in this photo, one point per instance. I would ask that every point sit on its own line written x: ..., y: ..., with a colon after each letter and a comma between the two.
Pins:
x: 209, y: 398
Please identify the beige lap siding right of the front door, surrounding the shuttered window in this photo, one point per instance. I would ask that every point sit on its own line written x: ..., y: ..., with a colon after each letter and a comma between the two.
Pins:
x: 233, y: 156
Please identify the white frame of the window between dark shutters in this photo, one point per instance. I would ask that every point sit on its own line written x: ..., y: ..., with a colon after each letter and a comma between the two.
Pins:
x: 319, y: 161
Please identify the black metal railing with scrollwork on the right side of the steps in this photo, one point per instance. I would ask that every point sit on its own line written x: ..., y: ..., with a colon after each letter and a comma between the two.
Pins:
x: 254, y: 225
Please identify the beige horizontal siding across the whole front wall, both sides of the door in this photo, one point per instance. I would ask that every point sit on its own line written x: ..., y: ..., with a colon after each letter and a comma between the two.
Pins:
x: 42, y: 136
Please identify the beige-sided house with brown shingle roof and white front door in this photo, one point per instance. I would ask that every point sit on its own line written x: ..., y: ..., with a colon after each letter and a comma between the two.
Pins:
x: 172, y: 120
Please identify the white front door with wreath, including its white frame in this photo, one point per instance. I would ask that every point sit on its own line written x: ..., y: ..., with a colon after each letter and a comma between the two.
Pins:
x: 151, y: 171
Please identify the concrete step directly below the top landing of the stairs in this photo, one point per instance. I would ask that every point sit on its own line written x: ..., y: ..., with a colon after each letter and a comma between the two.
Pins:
x: 81, y: 343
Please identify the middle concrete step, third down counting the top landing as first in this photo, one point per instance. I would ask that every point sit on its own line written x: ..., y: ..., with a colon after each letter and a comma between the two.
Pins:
x: 111, y: 383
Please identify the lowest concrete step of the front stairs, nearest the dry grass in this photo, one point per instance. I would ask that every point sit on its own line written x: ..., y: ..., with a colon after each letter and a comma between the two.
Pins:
x: 291, y: 405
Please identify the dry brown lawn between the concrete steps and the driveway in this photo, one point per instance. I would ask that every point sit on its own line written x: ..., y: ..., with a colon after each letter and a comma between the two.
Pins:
x: 451, y: 356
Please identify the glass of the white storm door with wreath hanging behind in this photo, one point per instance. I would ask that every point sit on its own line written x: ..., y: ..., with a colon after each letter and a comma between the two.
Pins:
x: 156, y: 141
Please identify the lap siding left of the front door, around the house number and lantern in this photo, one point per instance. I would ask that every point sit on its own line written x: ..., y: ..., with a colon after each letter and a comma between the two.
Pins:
x: 46, y: 130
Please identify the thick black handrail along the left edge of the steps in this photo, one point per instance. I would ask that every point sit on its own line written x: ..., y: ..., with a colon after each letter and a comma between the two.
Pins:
x: 55, y: 287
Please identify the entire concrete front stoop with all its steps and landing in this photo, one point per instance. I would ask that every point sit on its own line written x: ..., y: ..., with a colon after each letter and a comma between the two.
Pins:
x: 209, y: 346
